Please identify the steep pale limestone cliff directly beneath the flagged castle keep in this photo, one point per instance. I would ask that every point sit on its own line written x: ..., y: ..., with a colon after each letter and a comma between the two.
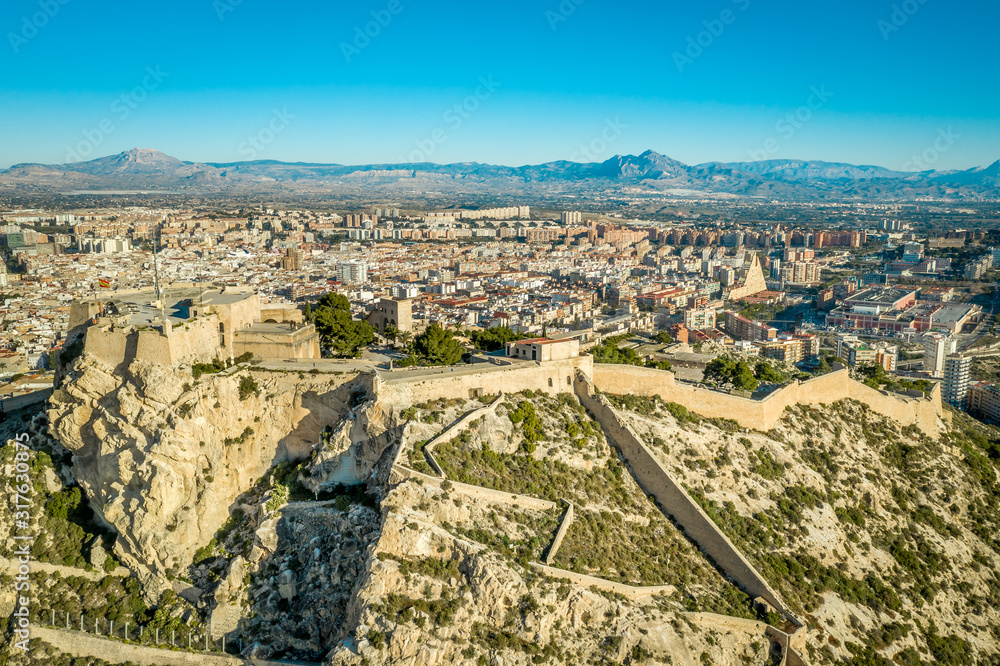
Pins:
x: 162, y: 456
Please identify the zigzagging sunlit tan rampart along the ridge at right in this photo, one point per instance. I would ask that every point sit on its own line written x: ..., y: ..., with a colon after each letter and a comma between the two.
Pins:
x: 924, y: 412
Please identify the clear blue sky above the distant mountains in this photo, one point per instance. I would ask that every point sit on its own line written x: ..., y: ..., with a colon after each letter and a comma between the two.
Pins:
x: 862, y: 81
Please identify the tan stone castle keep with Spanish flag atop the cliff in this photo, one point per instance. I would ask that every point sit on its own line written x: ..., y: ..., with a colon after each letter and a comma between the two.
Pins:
x: 189, y: 324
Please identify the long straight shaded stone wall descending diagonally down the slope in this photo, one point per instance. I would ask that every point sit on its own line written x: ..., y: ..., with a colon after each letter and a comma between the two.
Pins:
x: 655, y: 480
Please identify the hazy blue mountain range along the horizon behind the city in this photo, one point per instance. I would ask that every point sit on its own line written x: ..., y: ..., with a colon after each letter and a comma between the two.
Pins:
x: 624, y: 175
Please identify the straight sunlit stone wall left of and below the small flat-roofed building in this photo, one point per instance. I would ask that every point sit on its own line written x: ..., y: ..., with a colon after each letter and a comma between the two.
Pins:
x: 407, y: 387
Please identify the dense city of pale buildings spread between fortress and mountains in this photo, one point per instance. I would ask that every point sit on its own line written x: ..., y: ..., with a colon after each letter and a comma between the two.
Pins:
x: 916, y: 301
